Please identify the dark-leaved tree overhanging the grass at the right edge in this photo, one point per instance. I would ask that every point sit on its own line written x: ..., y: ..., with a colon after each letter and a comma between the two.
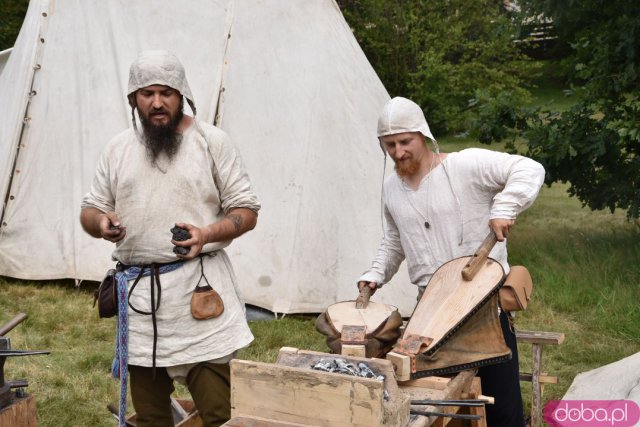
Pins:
x: 594, y: 145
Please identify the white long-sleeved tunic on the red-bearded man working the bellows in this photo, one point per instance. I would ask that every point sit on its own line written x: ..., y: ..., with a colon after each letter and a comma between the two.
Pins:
x: 448, y: 215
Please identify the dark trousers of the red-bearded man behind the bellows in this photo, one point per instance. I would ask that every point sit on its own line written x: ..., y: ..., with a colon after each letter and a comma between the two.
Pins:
x: 502, y: 381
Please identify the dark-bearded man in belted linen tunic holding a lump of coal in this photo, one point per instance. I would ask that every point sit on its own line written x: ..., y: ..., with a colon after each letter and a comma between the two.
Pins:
x: 175, y: 171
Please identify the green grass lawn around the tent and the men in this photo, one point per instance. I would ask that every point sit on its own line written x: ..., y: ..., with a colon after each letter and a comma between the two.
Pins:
x: 584, y: 265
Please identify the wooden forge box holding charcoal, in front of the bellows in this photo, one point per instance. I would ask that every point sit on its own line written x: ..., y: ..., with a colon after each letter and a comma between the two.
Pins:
x: 290, y: 392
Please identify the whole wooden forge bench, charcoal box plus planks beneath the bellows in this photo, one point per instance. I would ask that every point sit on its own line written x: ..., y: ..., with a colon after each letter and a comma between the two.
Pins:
x: 289, y: 393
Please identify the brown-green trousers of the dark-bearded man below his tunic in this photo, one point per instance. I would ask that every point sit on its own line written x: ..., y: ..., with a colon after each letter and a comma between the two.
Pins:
x: 208, y: 383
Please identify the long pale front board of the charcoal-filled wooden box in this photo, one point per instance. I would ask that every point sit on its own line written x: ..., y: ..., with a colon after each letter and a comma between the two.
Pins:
x: 305, y: 396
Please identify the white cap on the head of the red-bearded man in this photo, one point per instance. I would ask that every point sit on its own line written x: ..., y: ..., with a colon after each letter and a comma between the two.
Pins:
x: 401, y: 115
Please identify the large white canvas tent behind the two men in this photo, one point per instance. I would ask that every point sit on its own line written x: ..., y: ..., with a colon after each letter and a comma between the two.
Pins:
x: 286, y: 79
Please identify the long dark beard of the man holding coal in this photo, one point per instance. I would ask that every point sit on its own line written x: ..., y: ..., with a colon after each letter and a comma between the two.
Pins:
x: 161, y: 139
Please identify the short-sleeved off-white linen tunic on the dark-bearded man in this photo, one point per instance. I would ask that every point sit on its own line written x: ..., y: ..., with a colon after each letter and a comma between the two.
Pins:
x: 204, y: 180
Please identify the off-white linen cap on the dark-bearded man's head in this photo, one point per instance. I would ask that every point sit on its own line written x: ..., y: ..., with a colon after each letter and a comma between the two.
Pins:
x: 158, y: 67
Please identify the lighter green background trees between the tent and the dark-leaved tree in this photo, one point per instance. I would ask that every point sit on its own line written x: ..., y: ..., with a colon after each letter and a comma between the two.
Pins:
x: 440, y: 53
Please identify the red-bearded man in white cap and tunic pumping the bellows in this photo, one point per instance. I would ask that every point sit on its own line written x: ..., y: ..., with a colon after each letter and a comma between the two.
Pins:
x: 440, y: 206
